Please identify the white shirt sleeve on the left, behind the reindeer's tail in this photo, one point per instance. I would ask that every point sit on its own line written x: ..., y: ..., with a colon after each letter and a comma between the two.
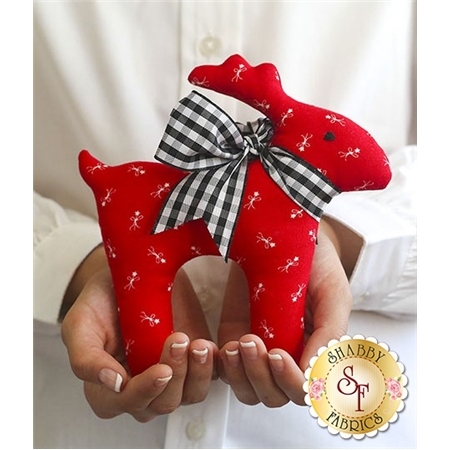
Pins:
x: 62, y: 238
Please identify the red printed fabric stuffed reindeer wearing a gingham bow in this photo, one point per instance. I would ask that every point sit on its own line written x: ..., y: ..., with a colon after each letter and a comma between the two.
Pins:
x: 253, y: 193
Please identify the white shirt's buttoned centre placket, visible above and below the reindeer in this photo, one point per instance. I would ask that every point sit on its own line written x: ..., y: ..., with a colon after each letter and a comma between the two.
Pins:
x: 209, y: 33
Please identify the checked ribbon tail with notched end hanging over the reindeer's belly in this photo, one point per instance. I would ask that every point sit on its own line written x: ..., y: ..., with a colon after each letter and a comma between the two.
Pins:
x: 212, y: 195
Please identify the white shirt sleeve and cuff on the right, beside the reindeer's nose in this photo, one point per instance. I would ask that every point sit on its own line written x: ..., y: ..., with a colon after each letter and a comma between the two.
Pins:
x: 384, y: 279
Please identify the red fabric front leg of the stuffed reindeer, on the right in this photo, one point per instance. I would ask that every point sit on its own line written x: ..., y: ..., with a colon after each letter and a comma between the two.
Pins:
x: 277, y: 278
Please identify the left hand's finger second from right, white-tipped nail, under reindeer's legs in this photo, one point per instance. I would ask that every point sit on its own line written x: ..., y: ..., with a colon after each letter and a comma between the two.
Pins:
x: 175, y: 355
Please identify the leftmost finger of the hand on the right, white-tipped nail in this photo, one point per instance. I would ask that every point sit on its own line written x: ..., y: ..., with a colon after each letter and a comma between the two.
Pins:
x: 232, y: 371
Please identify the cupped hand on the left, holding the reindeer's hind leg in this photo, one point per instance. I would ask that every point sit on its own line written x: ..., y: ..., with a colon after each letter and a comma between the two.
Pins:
x: 91, y: 334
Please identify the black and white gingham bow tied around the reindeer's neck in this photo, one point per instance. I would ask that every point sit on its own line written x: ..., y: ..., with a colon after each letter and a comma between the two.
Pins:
x: 202, y: 139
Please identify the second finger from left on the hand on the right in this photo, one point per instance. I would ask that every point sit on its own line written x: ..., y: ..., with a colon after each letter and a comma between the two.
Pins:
x: 255, y: 361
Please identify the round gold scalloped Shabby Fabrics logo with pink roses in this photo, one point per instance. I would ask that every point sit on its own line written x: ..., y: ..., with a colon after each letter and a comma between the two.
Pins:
x: 355, y: 387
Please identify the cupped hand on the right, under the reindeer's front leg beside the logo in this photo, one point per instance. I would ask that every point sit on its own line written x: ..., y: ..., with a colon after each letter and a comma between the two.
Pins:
x: 274, y: 378
